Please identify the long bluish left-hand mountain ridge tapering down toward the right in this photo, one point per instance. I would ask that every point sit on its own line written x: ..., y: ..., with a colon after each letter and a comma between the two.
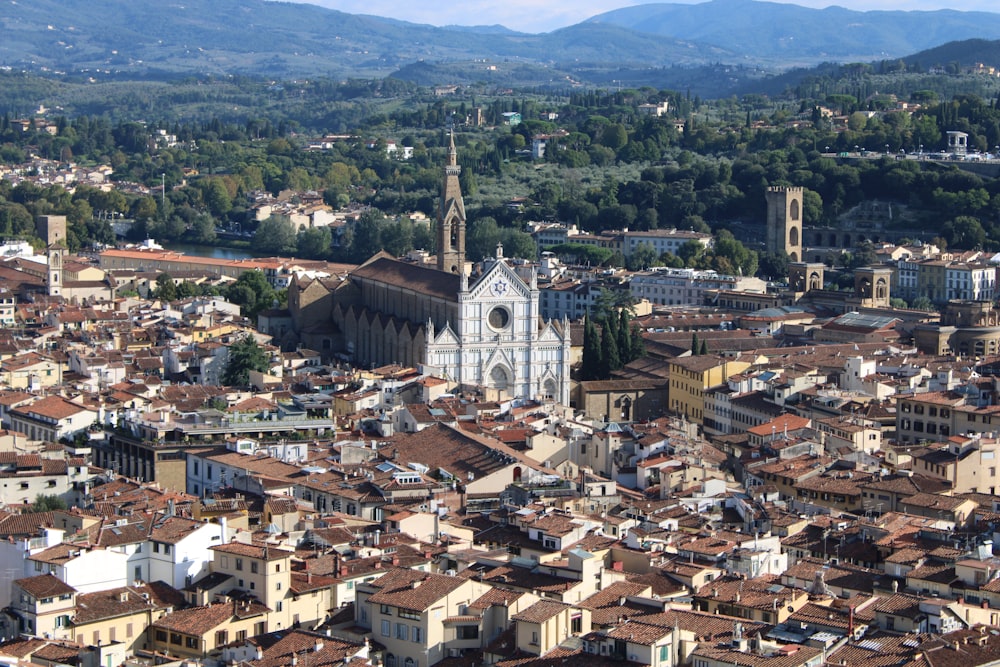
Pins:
x: 284, y: 40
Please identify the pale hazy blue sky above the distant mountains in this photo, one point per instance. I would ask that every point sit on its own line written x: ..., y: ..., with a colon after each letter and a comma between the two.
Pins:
x: 546, y: 15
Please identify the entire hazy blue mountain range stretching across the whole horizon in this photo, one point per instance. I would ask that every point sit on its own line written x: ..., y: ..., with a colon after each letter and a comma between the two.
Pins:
x: 654, y: 44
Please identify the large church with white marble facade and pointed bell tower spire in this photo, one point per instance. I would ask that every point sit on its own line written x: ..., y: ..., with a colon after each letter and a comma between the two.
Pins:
x: 481, y: 330
